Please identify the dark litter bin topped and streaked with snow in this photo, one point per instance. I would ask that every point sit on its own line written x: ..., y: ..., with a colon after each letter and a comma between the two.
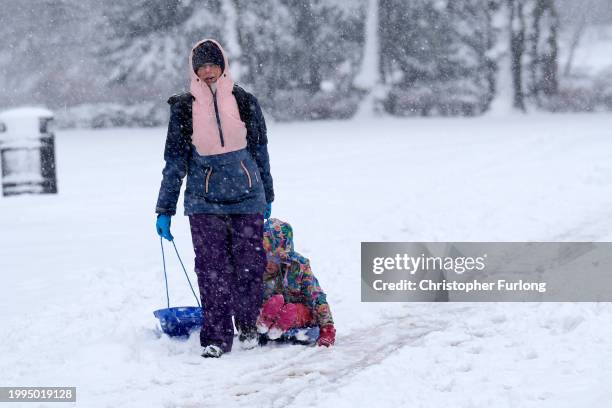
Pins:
x: 27, y: 152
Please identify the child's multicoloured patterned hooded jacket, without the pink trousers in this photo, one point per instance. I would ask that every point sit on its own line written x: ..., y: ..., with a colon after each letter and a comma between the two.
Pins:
x: 294, y: 278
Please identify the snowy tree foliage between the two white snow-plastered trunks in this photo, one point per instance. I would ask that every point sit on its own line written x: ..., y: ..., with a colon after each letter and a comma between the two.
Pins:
x: 435, y: 56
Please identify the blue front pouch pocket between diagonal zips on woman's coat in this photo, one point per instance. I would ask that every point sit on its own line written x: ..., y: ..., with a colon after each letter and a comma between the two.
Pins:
x: 228, y: 183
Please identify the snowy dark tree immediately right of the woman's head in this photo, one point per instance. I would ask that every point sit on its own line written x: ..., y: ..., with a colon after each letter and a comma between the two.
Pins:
x: 301, y: 57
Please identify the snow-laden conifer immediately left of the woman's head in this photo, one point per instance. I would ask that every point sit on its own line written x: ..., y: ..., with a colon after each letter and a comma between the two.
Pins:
x: 148, y: 43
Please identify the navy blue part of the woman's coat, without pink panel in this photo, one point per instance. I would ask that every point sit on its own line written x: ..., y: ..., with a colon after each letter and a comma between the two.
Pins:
x: 231, y: 183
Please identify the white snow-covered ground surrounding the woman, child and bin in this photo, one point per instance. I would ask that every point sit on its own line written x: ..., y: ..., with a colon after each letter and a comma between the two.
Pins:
x: 81, y: 271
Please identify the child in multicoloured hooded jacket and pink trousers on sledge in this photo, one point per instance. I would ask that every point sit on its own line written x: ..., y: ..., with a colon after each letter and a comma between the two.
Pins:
x: 292, y: 295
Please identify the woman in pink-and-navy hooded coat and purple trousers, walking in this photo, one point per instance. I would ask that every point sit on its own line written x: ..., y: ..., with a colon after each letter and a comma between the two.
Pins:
x: 217, y: 137
